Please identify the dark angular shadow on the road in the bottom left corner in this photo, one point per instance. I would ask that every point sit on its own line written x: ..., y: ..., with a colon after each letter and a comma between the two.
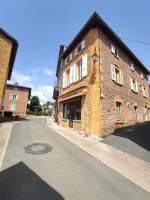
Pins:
x: 19, y: 182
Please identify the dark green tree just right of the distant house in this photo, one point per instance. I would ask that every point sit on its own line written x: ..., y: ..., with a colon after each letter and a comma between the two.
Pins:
x: 35, y: 104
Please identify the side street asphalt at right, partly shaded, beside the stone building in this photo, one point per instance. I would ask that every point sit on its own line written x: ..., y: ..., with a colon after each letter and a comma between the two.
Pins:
x: 134, y: 140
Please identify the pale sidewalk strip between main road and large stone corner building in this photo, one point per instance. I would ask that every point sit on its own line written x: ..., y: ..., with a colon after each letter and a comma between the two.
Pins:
x: 136, y: 170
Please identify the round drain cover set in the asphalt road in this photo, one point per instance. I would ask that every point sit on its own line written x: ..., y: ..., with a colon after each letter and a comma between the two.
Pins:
x: 38, y: 148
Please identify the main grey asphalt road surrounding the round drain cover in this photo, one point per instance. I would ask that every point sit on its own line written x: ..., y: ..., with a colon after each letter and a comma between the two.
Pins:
x: 66, y: 172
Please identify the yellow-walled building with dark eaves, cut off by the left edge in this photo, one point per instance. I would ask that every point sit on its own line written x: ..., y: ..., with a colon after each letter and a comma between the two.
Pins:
x: 8, y: 50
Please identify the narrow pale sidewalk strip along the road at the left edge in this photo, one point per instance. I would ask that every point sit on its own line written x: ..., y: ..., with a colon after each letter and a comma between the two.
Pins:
x: 5, y: 131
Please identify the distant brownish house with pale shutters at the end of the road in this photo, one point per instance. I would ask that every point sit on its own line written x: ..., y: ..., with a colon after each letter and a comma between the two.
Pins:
x: 16, y: 100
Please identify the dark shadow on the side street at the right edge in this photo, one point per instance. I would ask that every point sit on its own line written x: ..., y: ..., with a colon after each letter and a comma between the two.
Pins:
x: 138, y: 133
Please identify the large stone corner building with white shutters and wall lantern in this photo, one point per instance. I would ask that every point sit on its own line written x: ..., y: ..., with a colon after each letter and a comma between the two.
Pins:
x: 101, y: 84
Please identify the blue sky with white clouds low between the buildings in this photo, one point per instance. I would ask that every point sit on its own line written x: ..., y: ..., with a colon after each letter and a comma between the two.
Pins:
x: 41, y: 26
